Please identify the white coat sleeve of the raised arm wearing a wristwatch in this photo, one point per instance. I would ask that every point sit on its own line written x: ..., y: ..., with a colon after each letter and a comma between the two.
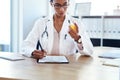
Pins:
x: 86, y: 42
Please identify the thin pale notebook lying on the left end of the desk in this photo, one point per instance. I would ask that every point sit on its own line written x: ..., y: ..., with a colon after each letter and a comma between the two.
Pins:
x: 11, y: 56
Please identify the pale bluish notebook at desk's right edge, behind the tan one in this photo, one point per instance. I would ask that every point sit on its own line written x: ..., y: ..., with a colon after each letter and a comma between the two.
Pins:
x: 113, y: 54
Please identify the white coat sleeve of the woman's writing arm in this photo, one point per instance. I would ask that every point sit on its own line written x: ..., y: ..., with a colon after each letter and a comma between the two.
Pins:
x: 29, y: 44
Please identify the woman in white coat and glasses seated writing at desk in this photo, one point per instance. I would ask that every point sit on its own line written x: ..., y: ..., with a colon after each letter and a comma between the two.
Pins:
x: 56, y: 36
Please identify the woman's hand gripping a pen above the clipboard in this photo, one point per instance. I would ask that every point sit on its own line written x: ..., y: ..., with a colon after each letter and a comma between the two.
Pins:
x: 38, y: 54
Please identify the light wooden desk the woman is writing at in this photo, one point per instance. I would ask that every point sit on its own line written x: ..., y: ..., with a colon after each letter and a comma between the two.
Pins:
x: 79, y: 68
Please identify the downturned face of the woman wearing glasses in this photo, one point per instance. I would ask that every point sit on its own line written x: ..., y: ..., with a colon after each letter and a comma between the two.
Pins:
x: 60, y: 7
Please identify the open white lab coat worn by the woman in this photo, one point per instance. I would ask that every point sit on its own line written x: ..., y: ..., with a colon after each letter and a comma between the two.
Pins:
x: 67, y: 44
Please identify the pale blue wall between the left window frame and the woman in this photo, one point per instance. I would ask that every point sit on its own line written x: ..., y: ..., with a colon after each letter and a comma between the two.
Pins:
x: 32, y: 10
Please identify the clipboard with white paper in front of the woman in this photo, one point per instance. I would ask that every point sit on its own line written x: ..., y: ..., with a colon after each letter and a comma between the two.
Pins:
x: 53, y: 59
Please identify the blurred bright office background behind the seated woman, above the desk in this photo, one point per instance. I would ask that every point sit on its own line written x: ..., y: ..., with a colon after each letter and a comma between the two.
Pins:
x: 100, y: 17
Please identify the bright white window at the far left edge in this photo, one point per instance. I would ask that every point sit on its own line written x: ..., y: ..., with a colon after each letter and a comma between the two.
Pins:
x: 4, y: 25
